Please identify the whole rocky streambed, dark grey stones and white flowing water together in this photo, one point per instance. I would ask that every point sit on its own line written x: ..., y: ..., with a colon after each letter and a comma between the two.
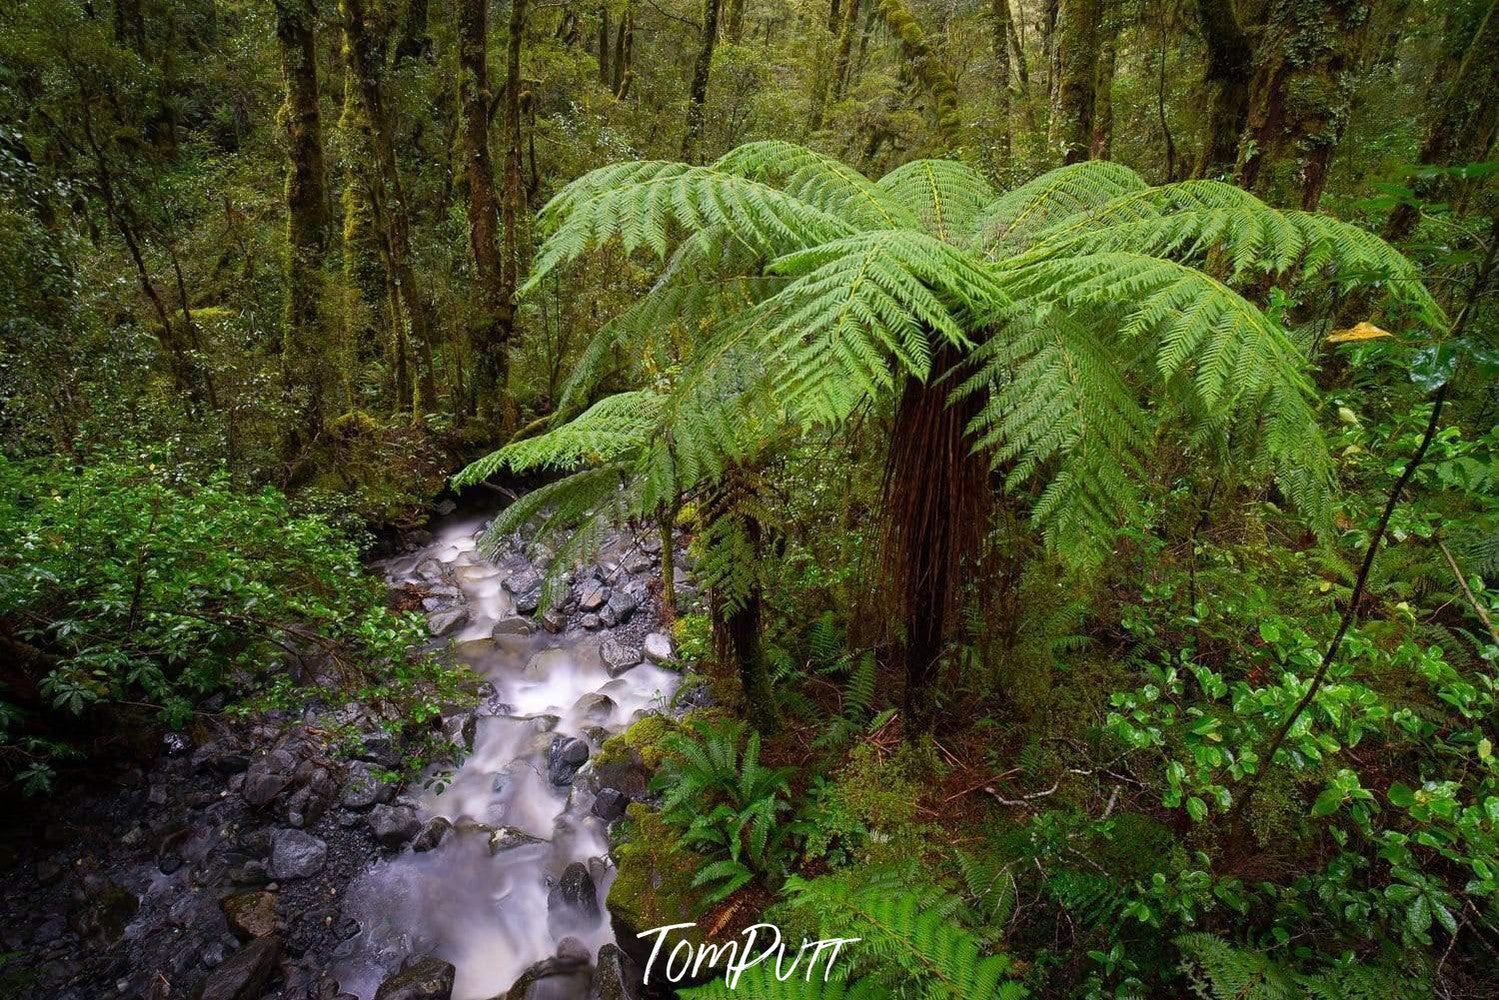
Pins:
x: 254, y: 861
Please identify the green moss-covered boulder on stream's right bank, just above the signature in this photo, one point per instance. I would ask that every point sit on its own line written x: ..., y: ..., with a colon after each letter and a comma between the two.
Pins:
x: 654, y: 885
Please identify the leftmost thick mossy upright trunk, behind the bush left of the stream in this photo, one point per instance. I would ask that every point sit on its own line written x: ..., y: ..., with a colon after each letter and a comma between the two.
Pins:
x: 305, y: 349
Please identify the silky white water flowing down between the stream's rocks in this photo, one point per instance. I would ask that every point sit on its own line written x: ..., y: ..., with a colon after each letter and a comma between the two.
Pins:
x: 480, y: 900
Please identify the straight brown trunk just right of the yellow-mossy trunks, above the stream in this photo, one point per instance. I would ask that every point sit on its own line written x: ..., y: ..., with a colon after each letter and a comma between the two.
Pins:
x: 491, y: 337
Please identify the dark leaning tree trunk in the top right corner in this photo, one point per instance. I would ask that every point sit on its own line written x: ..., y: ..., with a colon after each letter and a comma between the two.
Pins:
x: 1465, y: 119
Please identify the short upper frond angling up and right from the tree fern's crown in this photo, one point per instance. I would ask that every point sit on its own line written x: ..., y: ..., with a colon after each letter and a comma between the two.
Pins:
x: 1014, y: 221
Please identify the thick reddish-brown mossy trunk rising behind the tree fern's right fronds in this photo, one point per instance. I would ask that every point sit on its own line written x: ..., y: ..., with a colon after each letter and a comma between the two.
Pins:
x: 1300, y: 94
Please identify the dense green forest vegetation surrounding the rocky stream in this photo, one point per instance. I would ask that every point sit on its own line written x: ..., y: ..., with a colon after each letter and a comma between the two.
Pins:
x: 1082, y: 416
